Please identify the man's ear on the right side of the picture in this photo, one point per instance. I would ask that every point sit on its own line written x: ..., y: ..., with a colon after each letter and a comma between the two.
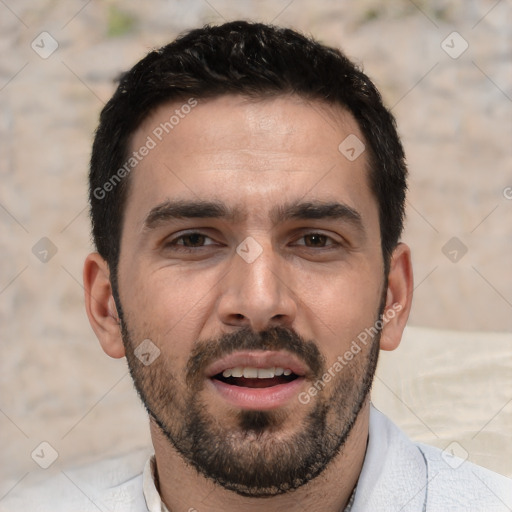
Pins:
x: 398, y: 298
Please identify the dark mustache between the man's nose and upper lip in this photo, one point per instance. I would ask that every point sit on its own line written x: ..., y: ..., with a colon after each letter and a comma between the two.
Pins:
x: 275, y: 338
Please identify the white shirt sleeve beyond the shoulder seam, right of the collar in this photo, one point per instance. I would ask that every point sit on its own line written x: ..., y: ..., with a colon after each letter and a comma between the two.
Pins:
x: 457, y: 484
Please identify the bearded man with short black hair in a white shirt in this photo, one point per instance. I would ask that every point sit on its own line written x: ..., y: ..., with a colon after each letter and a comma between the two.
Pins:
x: 247, y: 192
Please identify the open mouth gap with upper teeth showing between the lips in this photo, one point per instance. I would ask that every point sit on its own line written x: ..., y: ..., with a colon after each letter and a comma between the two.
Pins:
x: 250, y: 377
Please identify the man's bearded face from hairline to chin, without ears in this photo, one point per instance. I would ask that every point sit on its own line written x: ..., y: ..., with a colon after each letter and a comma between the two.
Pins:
x: 251, y: 259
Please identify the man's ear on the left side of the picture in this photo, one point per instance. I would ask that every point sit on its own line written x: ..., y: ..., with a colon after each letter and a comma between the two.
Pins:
x: 100, y: 305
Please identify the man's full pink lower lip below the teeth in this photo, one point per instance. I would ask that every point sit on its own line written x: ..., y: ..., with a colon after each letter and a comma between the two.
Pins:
x: 260, y: 399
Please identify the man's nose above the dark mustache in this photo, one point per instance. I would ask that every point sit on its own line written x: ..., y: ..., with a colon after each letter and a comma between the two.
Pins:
x: 257, y: 294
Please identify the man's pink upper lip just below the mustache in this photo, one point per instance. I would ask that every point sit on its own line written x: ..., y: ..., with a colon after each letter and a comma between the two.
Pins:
x: 258, y: 359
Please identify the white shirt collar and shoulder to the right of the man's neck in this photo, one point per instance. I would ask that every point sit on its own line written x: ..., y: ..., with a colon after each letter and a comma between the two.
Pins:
x: 401, y: 475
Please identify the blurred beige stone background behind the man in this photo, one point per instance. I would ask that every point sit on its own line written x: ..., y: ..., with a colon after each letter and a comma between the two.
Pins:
x: 444, y: 69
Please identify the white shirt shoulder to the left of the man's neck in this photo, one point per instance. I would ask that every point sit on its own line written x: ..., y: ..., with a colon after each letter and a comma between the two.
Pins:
x: 113, y: 484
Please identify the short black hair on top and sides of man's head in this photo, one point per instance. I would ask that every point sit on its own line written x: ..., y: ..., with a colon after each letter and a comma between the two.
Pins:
x: 257, y: 61
